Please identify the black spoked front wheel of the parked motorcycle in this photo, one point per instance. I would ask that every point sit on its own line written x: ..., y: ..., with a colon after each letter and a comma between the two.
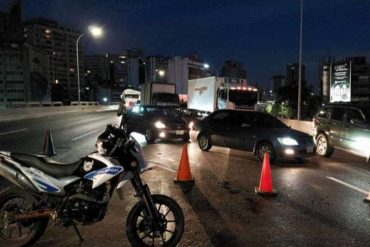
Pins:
x: 140, y: 227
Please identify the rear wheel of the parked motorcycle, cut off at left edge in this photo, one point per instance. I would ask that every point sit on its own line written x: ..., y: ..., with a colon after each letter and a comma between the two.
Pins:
x: 19, y: 233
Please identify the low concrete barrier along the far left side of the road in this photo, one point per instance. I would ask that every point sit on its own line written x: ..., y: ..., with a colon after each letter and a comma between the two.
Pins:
x: 11, y: 114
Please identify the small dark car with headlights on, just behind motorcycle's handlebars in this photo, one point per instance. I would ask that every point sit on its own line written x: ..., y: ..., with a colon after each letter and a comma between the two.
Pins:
x: 155, y: 122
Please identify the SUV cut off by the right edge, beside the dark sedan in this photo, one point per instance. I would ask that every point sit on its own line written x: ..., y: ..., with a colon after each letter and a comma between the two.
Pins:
x: 344, y: 126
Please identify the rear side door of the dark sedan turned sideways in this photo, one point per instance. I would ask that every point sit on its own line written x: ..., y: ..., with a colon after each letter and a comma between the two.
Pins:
x: 220, y: 127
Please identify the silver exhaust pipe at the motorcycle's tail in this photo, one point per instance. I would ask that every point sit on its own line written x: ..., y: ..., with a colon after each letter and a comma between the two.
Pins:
x: 14, y: 176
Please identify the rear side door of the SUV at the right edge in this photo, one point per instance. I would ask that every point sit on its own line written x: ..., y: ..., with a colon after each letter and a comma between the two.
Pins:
x: 336, y: 126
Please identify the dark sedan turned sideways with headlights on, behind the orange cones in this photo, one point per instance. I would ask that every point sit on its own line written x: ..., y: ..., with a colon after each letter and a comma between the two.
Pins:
x: 253, y: 131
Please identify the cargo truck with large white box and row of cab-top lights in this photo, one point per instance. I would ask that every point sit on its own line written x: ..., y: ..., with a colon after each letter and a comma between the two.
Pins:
x: 212, y: 93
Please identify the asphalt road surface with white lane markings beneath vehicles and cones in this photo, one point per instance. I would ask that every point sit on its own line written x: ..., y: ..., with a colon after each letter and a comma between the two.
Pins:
x: 319, y: 202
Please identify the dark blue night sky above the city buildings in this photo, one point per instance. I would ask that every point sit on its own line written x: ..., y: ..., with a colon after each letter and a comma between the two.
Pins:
x: 264, y: 35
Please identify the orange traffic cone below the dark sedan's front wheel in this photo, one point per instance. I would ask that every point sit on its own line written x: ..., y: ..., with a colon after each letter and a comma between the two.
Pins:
x: 266, y: 187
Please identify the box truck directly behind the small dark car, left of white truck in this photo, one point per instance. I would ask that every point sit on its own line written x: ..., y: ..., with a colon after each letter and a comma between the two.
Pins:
x: 159, y: 93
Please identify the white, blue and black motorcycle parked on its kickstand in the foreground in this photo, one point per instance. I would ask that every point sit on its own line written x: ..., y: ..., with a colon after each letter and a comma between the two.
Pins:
x: 78, y: 194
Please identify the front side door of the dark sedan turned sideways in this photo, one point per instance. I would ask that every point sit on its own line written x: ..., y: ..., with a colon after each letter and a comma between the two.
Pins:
x: 240, y: 134
